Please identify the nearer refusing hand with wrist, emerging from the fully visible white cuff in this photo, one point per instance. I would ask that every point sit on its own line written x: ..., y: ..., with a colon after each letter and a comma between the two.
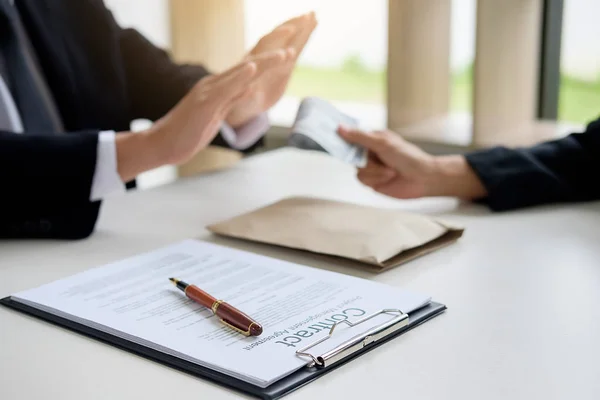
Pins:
x: 193, y: 123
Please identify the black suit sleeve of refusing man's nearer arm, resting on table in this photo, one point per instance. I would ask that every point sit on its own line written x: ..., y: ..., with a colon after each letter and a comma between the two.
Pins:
x: 46, y: 183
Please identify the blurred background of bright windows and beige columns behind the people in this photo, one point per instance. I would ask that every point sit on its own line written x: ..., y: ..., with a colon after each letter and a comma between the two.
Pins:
x: 448, y: 74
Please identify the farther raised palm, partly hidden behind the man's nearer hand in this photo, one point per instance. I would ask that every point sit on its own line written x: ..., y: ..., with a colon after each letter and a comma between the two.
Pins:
x: 290, y: 38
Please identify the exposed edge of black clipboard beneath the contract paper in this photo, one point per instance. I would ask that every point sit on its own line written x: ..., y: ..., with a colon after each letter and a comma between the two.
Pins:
x: 275, y: 391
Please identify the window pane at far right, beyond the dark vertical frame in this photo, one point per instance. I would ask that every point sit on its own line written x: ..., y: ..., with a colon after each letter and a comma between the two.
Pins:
x: 579, y: 98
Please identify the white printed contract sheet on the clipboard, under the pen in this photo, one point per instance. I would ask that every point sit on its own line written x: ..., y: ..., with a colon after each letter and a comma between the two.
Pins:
x: 296, y: 305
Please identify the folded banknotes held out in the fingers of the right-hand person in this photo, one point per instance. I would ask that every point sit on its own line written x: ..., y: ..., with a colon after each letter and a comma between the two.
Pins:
x: 316, y: 128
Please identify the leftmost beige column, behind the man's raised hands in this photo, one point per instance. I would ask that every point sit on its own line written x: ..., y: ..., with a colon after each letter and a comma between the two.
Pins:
x: 210, y: 32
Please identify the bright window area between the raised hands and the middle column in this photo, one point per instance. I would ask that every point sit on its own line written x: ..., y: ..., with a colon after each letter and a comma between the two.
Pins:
x: 344, y: 62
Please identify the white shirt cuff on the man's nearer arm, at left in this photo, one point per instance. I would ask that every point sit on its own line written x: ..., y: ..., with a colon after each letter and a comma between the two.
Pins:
x: 106, y: 175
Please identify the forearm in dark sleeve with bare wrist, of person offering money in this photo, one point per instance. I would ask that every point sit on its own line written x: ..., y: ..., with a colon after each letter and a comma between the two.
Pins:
x: 506, y: 179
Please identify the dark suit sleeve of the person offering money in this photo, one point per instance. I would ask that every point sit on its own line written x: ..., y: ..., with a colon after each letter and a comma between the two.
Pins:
x: 563, y: 170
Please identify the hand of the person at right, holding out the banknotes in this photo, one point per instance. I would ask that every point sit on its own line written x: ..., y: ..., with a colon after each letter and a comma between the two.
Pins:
x: 400, y: 169
